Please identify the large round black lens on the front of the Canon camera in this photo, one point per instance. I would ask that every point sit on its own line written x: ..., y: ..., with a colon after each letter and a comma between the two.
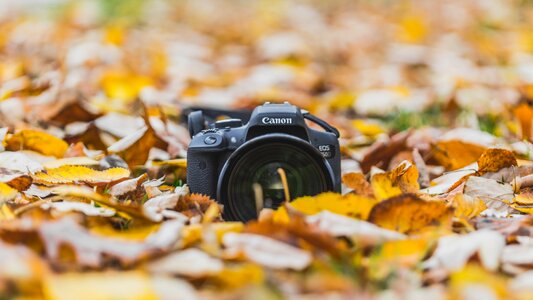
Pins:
x: 253, y: 180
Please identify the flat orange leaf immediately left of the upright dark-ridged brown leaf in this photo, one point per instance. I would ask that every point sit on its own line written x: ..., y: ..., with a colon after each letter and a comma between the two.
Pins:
x: 455, y: 154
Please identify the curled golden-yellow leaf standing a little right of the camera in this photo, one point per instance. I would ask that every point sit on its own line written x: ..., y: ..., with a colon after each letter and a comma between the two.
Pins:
x: 402, y: 179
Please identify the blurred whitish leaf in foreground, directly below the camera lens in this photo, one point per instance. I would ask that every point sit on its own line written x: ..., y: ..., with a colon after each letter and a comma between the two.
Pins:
x: 266, y: 251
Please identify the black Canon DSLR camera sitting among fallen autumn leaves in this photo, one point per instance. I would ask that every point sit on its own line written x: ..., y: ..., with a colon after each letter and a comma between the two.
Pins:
x: 260, y: 164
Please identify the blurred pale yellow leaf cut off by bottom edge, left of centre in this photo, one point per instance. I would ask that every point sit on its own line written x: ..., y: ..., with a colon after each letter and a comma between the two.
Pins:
x: 99, y: 286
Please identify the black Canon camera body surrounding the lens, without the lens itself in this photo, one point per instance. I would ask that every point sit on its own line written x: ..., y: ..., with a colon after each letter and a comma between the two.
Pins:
x: 212, y: 150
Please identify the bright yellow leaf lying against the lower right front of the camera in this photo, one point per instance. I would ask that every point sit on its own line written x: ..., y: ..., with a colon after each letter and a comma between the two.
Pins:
x: 348, y: 205
